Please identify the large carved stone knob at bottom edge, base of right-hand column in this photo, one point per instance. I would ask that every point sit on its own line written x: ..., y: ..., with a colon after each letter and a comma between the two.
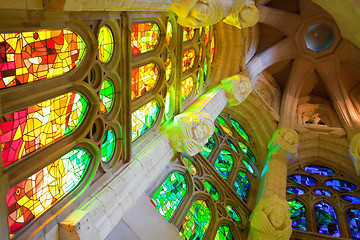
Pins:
x: 270, y: 220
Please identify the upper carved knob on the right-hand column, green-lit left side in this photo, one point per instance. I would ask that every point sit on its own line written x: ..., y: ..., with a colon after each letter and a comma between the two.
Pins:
x: 287, y: 140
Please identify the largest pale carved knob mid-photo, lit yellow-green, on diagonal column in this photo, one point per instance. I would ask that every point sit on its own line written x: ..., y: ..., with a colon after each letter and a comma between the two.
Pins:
x: 190, y: 131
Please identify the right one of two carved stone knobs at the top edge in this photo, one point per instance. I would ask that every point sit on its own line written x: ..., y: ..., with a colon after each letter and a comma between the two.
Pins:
x: 244, y: 14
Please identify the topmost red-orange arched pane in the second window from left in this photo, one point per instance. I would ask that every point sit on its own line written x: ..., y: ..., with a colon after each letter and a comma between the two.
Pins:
x: 144, y: 37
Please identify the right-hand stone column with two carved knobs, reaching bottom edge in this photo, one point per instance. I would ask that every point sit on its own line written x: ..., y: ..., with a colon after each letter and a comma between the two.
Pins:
x: 271, y: 217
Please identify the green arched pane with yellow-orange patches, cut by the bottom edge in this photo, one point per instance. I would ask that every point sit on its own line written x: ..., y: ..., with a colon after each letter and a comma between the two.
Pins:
x: 196, y: 221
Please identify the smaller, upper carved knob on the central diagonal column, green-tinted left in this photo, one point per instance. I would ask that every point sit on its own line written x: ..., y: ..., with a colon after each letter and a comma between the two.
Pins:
x: 237, y: 88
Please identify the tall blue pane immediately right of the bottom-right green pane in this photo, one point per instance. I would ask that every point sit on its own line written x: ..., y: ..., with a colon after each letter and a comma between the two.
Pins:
x: 326, y: 221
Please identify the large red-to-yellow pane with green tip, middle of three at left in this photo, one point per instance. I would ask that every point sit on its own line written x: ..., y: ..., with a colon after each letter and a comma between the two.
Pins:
x: 37, y: 126
